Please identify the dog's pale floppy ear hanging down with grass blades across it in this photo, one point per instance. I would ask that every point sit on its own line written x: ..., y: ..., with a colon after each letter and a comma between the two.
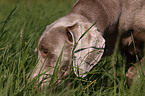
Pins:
x: 89, y: 48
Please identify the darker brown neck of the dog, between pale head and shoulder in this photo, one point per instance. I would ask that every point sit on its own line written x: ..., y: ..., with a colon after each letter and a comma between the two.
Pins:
x: 103, y: 12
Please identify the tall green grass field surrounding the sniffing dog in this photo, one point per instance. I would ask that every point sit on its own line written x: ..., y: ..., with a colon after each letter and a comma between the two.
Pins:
x: 21, y: 24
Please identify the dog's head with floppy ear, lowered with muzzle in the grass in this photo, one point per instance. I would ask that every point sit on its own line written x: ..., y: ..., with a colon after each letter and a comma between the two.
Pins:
x: 73, y: 39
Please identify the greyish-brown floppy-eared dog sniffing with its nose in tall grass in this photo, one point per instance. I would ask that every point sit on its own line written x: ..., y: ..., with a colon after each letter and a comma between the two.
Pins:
x: 88, y: 32
